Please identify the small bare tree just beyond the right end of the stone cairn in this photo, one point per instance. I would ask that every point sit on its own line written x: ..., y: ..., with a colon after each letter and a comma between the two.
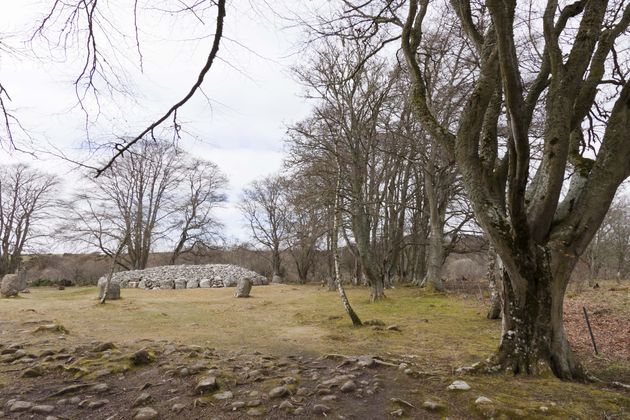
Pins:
x: 263, y: 204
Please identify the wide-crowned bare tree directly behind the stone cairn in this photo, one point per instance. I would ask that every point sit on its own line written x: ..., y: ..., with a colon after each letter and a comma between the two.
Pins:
x: 148, y: 199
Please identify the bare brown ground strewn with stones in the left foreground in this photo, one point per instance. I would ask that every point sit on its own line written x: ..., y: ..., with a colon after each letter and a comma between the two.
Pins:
x: 165, y: 380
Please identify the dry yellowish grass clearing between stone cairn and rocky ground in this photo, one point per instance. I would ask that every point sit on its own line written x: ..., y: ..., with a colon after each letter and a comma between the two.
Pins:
x: 279, y: 319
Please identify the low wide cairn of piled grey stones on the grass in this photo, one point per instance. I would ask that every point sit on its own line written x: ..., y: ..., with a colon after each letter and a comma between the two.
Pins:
x: 186, y: 277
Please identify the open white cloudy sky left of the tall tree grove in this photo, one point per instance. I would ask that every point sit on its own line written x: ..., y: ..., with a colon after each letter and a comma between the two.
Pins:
x: 238, y: 122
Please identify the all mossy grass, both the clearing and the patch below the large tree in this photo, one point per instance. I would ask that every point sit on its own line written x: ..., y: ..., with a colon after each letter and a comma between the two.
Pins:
x: 438, y: 332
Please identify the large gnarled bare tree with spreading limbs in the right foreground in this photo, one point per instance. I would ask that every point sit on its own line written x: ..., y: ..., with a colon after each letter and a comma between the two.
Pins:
x: 574, y: 78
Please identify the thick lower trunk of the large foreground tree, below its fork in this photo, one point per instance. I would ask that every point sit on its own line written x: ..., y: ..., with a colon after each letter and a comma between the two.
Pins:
x: 532, y: 326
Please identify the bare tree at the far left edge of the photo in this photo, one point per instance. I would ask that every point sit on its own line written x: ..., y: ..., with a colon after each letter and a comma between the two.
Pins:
x: 27, y: 197
